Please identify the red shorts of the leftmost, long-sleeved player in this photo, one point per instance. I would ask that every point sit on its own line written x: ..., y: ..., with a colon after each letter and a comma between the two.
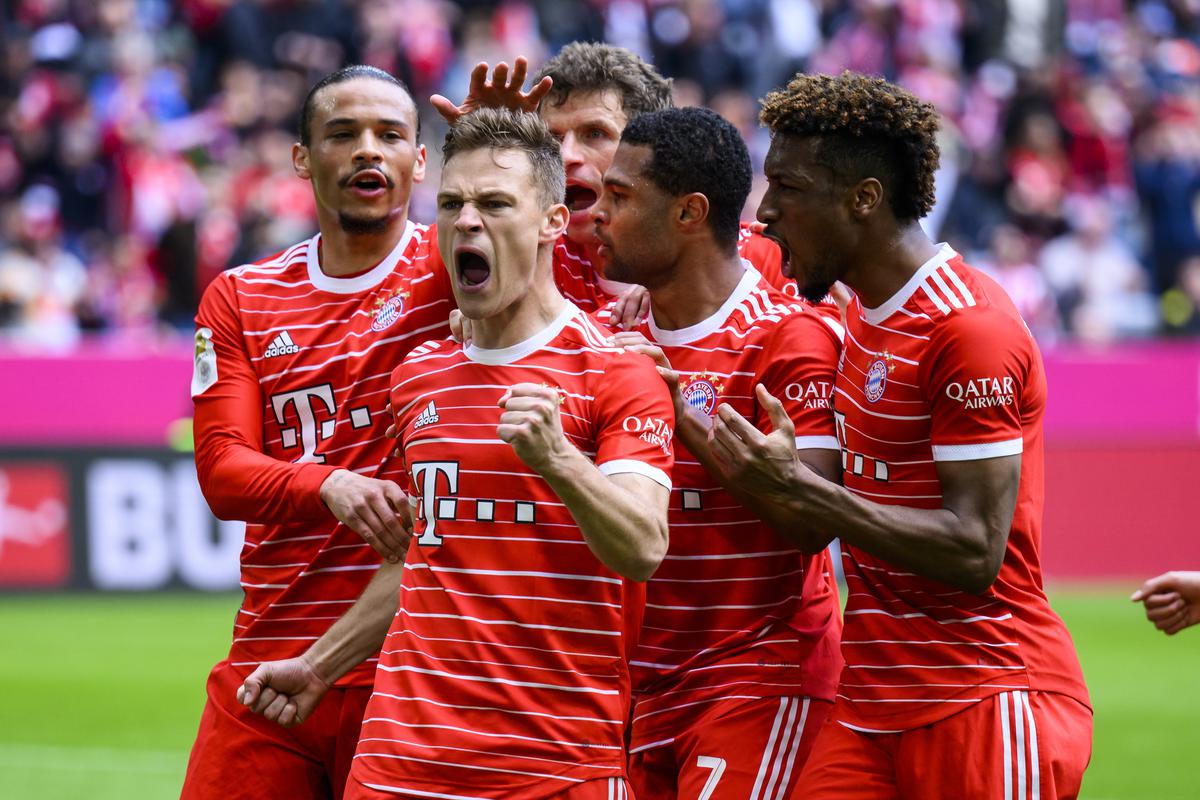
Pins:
x: 241, y: 755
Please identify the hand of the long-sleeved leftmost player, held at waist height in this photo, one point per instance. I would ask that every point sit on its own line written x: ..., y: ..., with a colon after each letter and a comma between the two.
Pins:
x: 376, y: 510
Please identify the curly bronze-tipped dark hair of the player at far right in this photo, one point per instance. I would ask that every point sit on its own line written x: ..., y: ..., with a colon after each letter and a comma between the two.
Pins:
x: 866, y: 128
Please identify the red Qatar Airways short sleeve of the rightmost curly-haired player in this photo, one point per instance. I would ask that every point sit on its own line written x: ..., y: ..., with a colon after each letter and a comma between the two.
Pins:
x: 976, y: 372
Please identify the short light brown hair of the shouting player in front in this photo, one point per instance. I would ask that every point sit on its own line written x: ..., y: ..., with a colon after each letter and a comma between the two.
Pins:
x: 501, y: 129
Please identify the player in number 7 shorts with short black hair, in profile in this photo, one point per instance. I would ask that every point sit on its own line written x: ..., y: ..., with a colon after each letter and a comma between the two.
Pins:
x: 730, y: 691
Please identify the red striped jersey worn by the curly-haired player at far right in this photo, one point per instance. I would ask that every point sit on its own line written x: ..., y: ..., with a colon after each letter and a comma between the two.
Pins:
x: 944, y: 371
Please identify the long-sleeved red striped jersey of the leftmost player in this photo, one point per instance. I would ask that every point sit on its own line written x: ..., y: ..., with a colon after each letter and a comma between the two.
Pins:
x: 291, y: 383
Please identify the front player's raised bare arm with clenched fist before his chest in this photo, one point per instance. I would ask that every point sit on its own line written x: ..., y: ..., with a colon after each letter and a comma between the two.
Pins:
x: 623, y: 516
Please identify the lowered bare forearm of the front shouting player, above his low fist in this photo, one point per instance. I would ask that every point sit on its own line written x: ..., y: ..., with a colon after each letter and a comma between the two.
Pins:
x: 362, y: 631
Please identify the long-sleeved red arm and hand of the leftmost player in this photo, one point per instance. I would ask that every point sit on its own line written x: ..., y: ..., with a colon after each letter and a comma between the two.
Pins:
x: 243, y: 483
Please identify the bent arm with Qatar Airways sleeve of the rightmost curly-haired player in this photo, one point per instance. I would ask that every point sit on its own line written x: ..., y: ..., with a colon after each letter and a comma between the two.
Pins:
x: 963, y: 543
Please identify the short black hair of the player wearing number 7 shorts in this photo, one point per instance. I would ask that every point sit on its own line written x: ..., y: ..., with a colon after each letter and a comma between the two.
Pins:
x: 698, y: 151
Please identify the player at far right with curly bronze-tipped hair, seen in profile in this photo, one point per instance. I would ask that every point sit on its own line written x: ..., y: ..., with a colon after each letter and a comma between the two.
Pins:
x: 950, y: 642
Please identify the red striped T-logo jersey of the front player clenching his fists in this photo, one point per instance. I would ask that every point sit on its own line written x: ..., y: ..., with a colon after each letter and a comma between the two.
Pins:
x: 506, y: 671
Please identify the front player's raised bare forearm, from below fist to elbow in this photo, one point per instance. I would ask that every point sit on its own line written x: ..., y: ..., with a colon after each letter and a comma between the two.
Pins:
x: 626, y: 533
